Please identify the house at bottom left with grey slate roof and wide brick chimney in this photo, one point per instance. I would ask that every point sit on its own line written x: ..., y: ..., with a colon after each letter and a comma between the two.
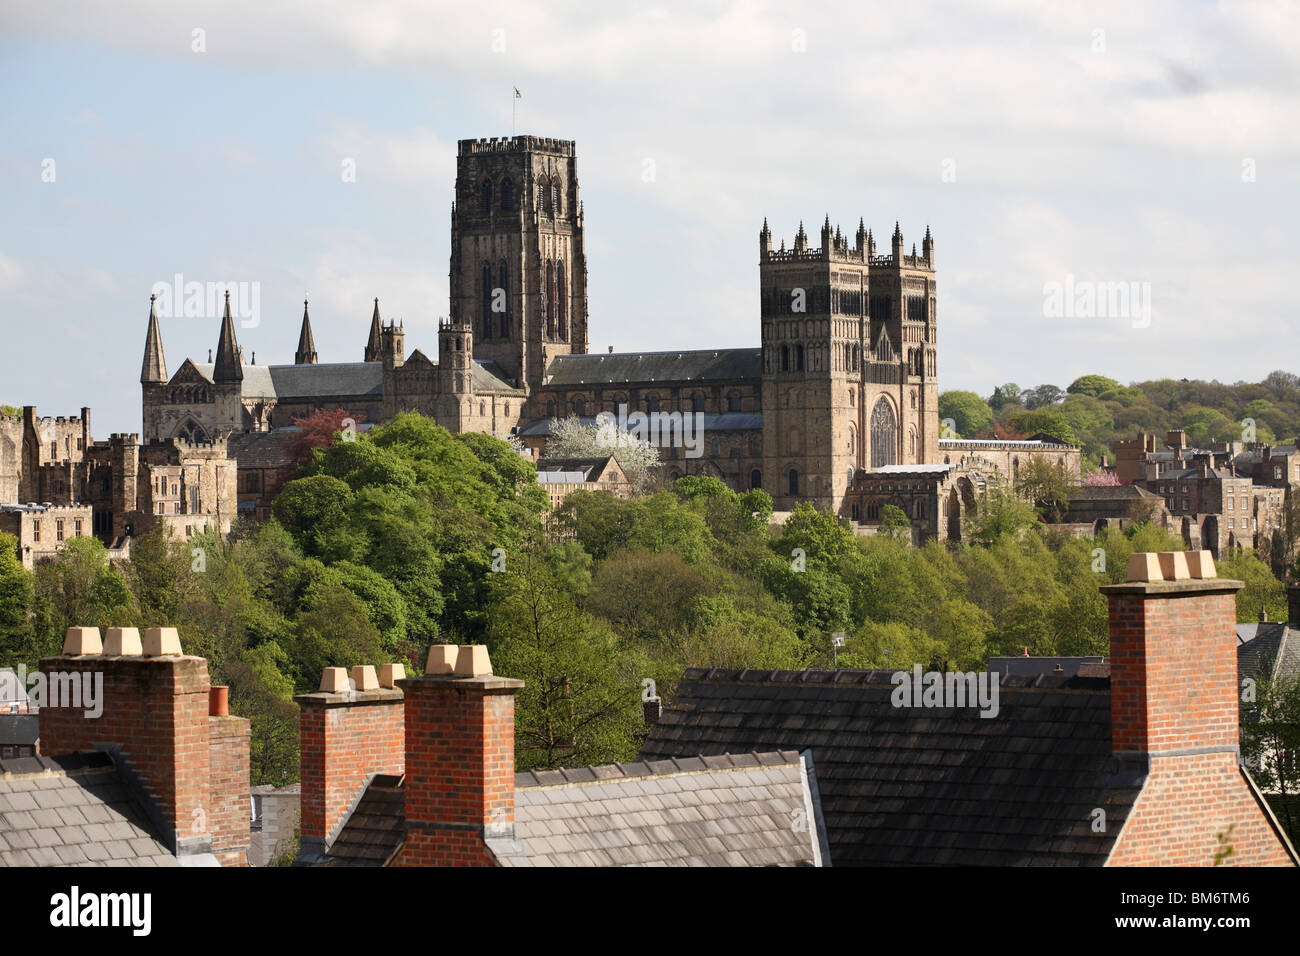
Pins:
x: 144, y: 768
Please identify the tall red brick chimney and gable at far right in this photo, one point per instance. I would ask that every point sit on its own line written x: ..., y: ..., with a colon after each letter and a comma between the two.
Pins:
x: 1175, y: 720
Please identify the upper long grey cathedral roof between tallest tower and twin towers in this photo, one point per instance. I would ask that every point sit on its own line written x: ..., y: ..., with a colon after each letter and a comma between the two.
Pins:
x: 634, y: 369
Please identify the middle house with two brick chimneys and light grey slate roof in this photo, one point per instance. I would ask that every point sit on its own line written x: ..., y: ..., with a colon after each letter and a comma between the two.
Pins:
x: 421, y: 772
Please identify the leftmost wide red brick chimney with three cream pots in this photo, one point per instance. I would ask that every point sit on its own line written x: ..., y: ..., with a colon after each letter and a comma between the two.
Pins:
x: 153, y: 715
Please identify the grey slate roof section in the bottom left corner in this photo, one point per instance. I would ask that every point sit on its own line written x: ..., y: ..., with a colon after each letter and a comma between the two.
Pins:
x: 73, y: 812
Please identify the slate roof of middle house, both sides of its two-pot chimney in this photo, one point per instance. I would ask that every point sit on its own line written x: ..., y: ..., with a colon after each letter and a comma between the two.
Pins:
x: 752, y: 810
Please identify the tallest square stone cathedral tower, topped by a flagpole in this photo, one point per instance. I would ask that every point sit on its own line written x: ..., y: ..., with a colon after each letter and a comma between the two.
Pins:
x: 518, y: 262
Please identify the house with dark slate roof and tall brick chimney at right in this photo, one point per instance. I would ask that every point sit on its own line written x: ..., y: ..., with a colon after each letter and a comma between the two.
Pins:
x: 1141, y: 768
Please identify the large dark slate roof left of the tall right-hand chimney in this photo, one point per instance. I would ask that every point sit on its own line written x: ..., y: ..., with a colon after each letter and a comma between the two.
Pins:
x: 924, y: 786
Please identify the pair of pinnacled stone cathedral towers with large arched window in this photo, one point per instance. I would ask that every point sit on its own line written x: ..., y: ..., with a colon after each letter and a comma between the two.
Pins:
x: 850, y: 370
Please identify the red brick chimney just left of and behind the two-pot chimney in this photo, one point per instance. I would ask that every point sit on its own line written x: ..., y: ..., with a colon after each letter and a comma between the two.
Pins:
x: 350, y: 732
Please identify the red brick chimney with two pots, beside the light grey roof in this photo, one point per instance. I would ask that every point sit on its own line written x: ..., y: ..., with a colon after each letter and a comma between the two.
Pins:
x: 460, y: 762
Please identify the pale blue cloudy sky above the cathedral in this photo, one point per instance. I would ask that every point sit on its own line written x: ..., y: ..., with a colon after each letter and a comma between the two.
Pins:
x: 1056, y: 150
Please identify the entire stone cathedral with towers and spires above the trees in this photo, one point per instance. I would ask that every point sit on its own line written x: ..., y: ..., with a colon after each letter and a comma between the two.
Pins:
x: 838, y: 406
